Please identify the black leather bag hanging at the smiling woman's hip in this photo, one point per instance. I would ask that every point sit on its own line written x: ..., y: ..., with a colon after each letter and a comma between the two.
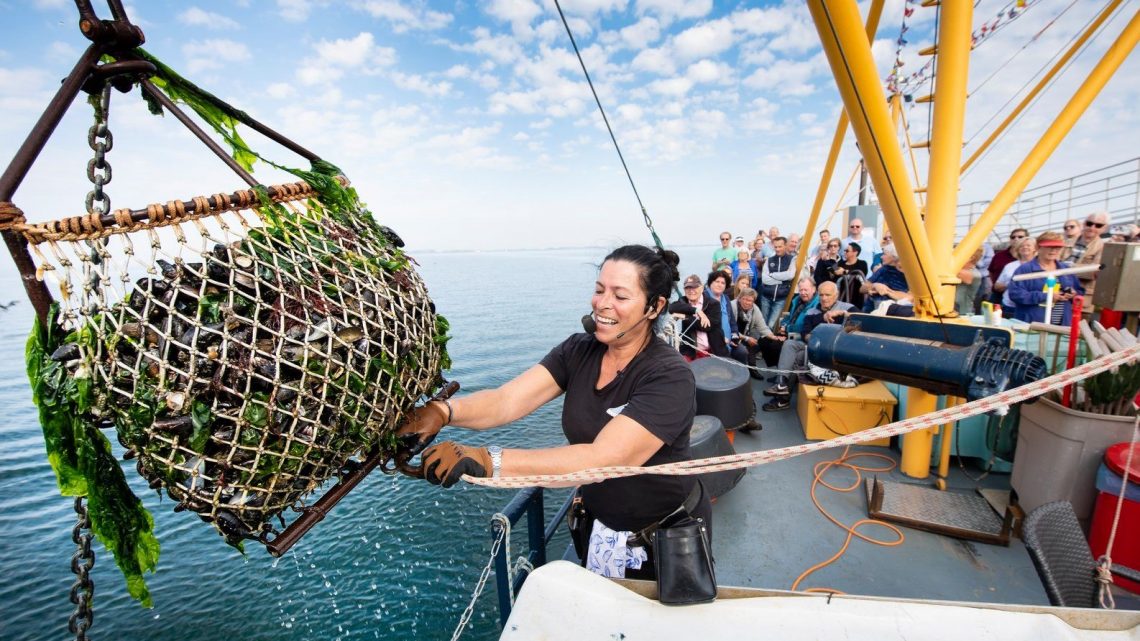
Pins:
x: 685, y: 564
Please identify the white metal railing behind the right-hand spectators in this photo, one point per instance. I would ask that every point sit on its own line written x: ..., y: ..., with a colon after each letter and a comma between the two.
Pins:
x: 1114, y: 189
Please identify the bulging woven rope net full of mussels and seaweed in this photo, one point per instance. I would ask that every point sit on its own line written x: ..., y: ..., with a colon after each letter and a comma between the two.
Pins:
x: 245, y: 347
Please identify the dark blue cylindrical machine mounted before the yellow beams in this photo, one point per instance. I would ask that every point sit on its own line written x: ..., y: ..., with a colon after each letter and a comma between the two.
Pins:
x: 943, y: 359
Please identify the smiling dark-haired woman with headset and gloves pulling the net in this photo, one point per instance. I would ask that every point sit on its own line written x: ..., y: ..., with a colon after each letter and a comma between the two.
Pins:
x: 630, y: 401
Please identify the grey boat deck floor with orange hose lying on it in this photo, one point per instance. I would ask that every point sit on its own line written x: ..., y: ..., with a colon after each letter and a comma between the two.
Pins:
x: 768, y: 532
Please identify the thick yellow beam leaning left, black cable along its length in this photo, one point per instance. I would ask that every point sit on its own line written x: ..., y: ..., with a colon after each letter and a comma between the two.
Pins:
x: 850, y: 56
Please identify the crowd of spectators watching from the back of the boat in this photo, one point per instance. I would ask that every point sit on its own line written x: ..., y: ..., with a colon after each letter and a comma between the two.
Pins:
x: 739, y: 310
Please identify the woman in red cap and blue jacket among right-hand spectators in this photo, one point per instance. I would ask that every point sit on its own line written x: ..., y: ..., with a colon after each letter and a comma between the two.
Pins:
x: 1029, y: 297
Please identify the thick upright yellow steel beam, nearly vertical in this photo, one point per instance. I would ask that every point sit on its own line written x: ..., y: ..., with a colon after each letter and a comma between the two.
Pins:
x: 955, y: 25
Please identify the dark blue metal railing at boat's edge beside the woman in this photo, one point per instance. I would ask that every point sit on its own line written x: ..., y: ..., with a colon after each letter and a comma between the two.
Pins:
x: 539, y: 535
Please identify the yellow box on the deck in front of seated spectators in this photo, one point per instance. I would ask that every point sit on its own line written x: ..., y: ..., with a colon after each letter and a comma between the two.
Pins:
x: 827, y: 412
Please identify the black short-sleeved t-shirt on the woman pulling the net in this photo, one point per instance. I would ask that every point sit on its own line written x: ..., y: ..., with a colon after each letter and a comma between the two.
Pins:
x: 658, y: 391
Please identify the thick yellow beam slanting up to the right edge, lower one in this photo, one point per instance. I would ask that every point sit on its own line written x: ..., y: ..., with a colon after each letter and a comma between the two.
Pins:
x: 1049, y: 141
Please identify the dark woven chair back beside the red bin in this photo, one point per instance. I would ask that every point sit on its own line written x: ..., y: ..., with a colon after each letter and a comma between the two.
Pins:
x: 1060, y: 551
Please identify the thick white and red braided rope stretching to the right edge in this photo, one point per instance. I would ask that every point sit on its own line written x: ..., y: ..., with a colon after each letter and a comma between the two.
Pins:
x: 1001, y: 401
